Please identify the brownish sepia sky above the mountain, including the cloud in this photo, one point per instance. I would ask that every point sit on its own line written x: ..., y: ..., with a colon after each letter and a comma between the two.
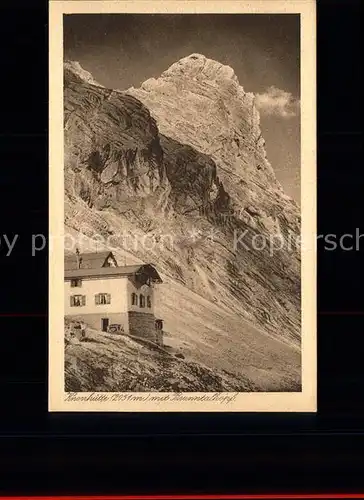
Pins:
x: 124, y: 50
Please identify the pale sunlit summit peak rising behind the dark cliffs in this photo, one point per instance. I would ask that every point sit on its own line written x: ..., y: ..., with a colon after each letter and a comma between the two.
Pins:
x: 199, y: 102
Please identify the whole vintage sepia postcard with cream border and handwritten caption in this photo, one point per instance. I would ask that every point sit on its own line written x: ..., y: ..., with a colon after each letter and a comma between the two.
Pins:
x: 182, y: 230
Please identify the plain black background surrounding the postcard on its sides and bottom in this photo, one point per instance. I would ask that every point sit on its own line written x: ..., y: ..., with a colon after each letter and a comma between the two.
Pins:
x: 48, y: 453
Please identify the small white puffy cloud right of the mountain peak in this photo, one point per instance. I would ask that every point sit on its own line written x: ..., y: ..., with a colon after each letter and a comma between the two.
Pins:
x: 277, y: 102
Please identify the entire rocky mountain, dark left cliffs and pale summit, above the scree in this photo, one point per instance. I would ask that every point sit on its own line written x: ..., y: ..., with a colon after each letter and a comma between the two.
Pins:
x: 183, y: 156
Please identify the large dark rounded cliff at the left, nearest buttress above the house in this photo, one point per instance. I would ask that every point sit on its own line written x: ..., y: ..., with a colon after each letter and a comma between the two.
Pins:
x: 112, y: 150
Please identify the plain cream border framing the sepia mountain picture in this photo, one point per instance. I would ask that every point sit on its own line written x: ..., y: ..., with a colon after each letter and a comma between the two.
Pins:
x: 58, y: 399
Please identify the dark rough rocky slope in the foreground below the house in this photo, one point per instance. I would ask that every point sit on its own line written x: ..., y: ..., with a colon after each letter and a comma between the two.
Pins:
x: 106, y: 363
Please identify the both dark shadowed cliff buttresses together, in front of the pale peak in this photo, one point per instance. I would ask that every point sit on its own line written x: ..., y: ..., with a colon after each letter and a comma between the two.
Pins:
x: 113, y: 154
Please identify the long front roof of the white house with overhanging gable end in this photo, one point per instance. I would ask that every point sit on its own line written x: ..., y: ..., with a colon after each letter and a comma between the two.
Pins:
x: 114, y: 272
